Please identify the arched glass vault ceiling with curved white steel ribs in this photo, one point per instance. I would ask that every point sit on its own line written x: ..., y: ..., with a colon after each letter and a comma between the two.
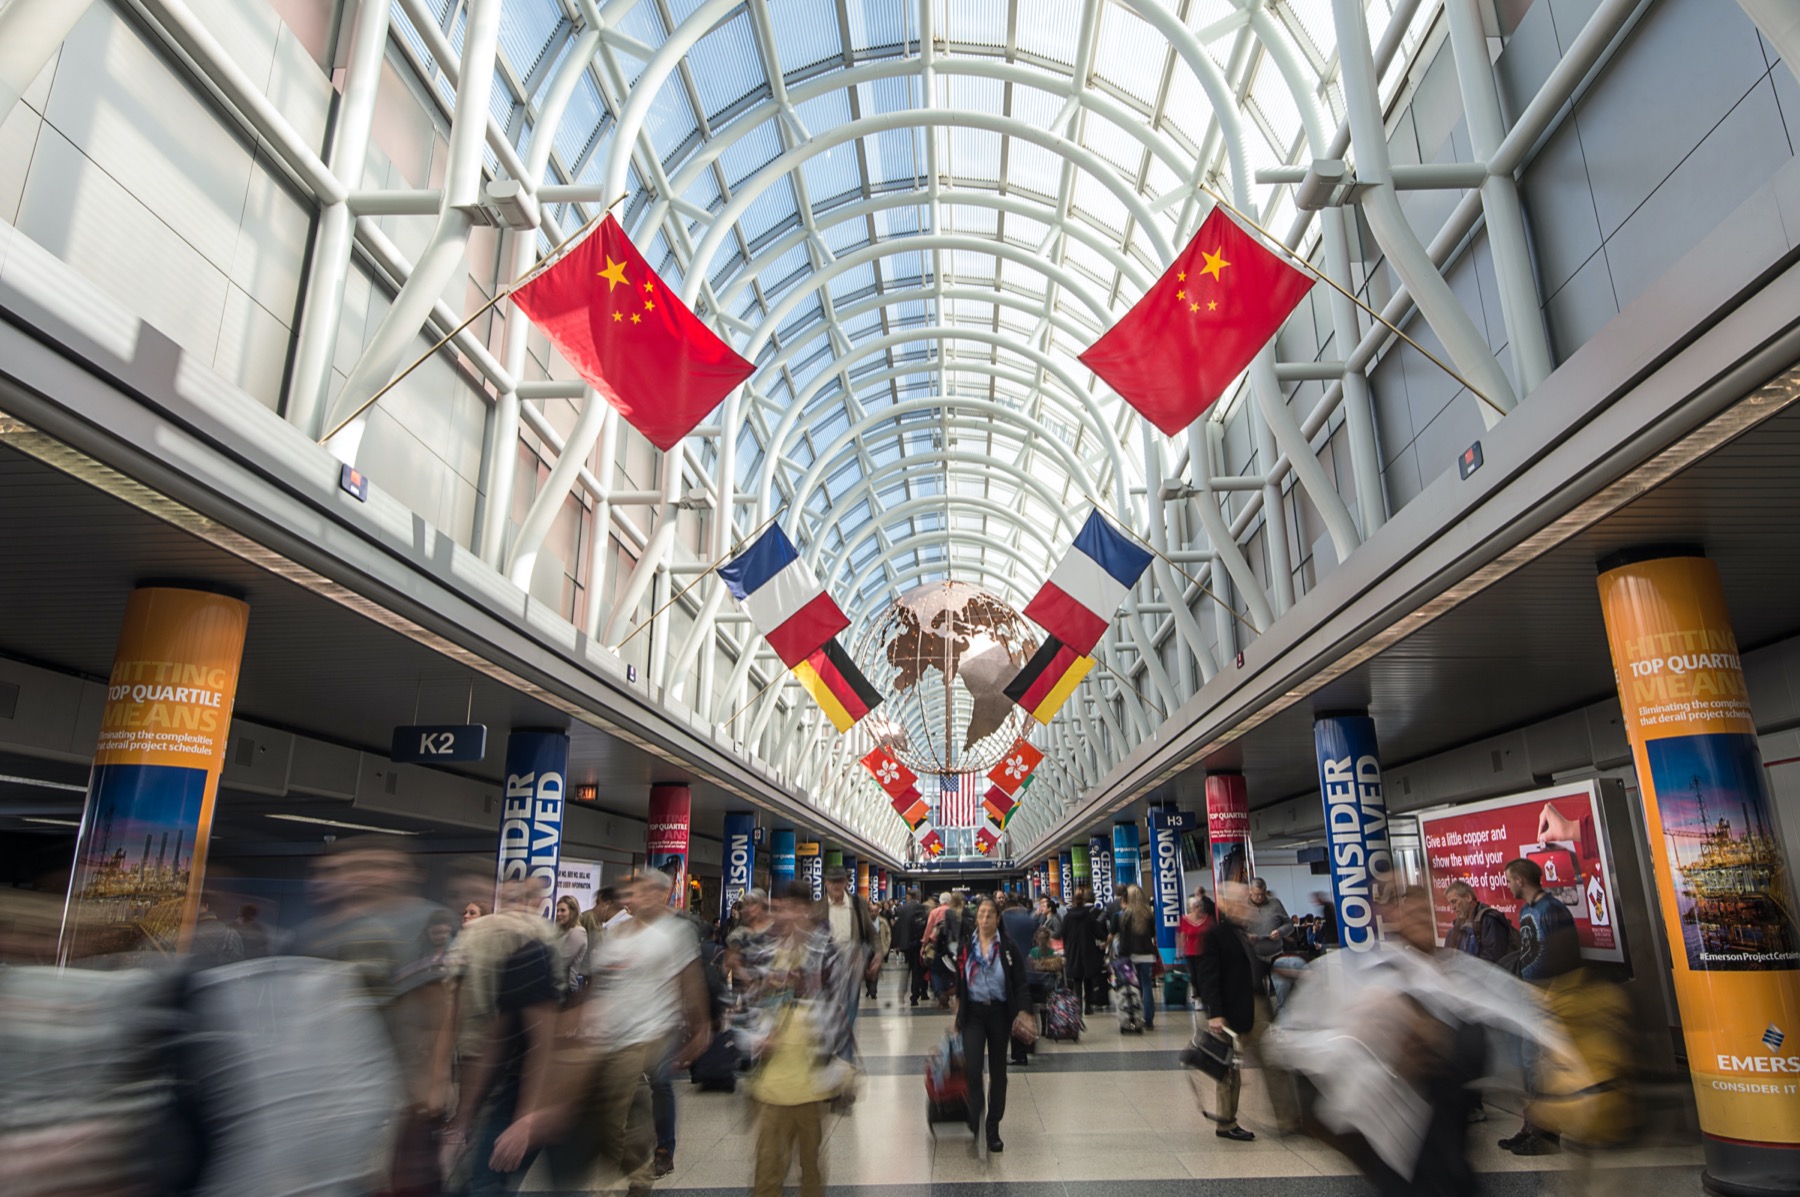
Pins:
x: 933, y: 206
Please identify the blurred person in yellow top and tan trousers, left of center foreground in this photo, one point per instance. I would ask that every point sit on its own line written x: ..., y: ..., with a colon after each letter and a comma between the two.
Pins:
x: 800, y: 1068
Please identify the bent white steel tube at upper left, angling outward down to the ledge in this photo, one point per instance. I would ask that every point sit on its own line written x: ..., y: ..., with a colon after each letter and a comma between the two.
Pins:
x: 445, y: 253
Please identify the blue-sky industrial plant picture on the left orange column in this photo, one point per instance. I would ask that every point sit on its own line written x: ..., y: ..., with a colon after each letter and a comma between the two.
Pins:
x: 138, y: 858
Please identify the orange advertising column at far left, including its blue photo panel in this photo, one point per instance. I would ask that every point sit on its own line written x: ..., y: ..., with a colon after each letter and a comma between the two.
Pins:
x: 141, y: 854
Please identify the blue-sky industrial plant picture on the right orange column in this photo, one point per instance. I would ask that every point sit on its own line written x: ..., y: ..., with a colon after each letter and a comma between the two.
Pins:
x: 1732, y: 888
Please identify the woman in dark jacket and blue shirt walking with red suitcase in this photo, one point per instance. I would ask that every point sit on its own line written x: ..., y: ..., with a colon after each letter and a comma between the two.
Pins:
x: 991, y: 994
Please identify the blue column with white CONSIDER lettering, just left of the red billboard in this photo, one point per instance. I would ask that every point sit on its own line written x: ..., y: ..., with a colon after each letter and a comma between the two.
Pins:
x: 1356, y: 825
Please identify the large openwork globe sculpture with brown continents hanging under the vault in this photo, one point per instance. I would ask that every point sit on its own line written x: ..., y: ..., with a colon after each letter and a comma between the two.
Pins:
x: 944, y: 654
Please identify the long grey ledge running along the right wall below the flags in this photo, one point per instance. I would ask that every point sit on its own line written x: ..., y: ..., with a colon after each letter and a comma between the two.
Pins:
x: 1583, y: 449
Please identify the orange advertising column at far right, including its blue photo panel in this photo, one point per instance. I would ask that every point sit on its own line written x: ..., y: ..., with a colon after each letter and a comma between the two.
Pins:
x: 1725, y: 886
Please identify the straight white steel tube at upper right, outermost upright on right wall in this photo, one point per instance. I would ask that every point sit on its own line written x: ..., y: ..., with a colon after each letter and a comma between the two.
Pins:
x: 1529, y: 339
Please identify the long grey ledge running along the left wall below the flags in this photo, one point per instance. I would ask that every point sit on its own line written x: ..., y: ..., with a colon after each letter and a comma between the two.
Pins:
x: 107, y: 427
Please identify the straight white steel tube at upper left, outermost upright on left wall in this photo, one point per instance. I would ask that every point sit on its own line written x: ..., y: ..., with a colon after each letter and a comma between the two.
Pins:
x: 323, y: 310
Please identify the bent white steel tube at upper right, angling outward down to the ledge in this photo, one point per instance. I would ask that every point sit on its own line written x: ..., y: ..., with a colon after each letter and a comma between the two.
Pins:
x: 1381, y: 208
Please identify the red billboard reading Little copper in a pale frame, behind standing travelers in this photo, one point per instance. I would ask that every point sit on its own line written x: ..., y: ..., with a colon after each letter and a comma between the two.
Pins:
x: 1558, y: 829
